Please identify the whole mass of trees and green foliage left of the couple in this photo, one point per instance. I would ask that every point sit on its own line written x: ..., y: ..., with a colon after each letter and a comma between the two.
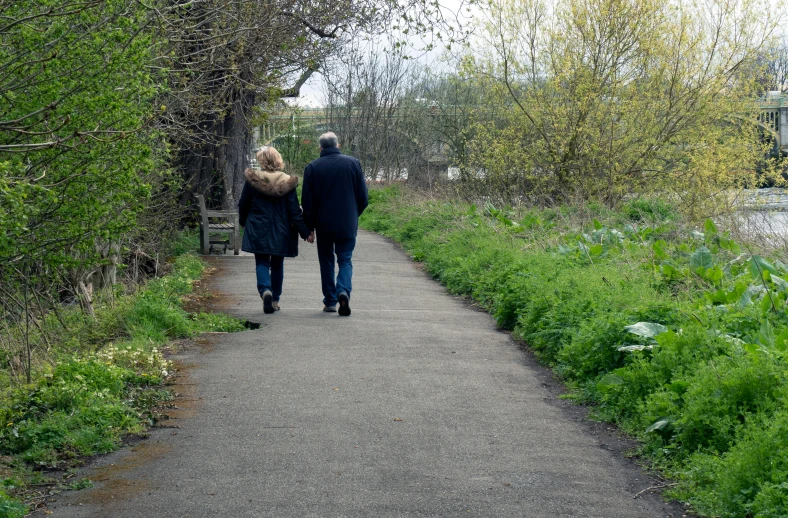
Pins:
x: 115, y: 113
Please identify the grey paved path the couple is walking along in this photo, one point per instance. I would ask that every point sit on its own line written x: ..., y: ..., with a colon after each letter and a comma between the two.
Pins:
x: 414, y: 406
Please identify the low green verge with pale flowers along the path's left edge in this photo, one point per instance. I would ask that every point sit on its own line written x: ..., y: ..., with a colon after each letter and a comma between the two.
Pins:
x: 103, y: 380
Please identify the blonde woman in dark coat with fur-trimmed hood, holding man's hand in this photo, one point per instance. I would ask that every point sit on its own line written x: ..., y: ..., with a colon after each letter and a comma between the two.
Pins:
x: 271, y: 218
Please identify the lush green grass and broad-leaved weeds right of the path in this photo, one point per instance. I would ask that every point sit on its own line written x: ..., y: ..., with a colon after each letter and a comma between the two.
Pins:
x: 705, y: 391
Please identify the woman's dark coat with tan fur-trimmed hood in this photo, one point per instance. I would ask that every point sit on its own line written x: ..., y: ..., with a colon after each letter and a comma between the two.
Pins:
x: 270, y: 214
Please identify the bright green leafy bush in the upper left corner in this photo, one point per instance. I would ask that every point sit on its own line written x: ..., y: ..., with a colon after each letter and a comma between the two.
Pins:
x: 73, y: 167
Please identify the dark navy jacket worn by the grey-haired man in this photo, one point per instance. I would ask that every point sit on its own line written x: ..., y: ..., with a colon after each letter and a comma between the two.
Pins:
x: 334, y: 194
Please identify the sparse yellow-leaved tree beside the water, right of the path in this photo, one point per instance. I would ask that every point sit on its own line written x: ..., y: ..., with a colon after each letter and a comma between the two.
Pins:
x: 600, y: 98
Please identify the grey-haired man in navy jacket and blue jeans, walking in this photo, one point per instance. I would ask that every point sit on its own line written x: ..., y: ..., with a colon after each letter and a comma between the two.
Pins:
x: 333, y: 197
